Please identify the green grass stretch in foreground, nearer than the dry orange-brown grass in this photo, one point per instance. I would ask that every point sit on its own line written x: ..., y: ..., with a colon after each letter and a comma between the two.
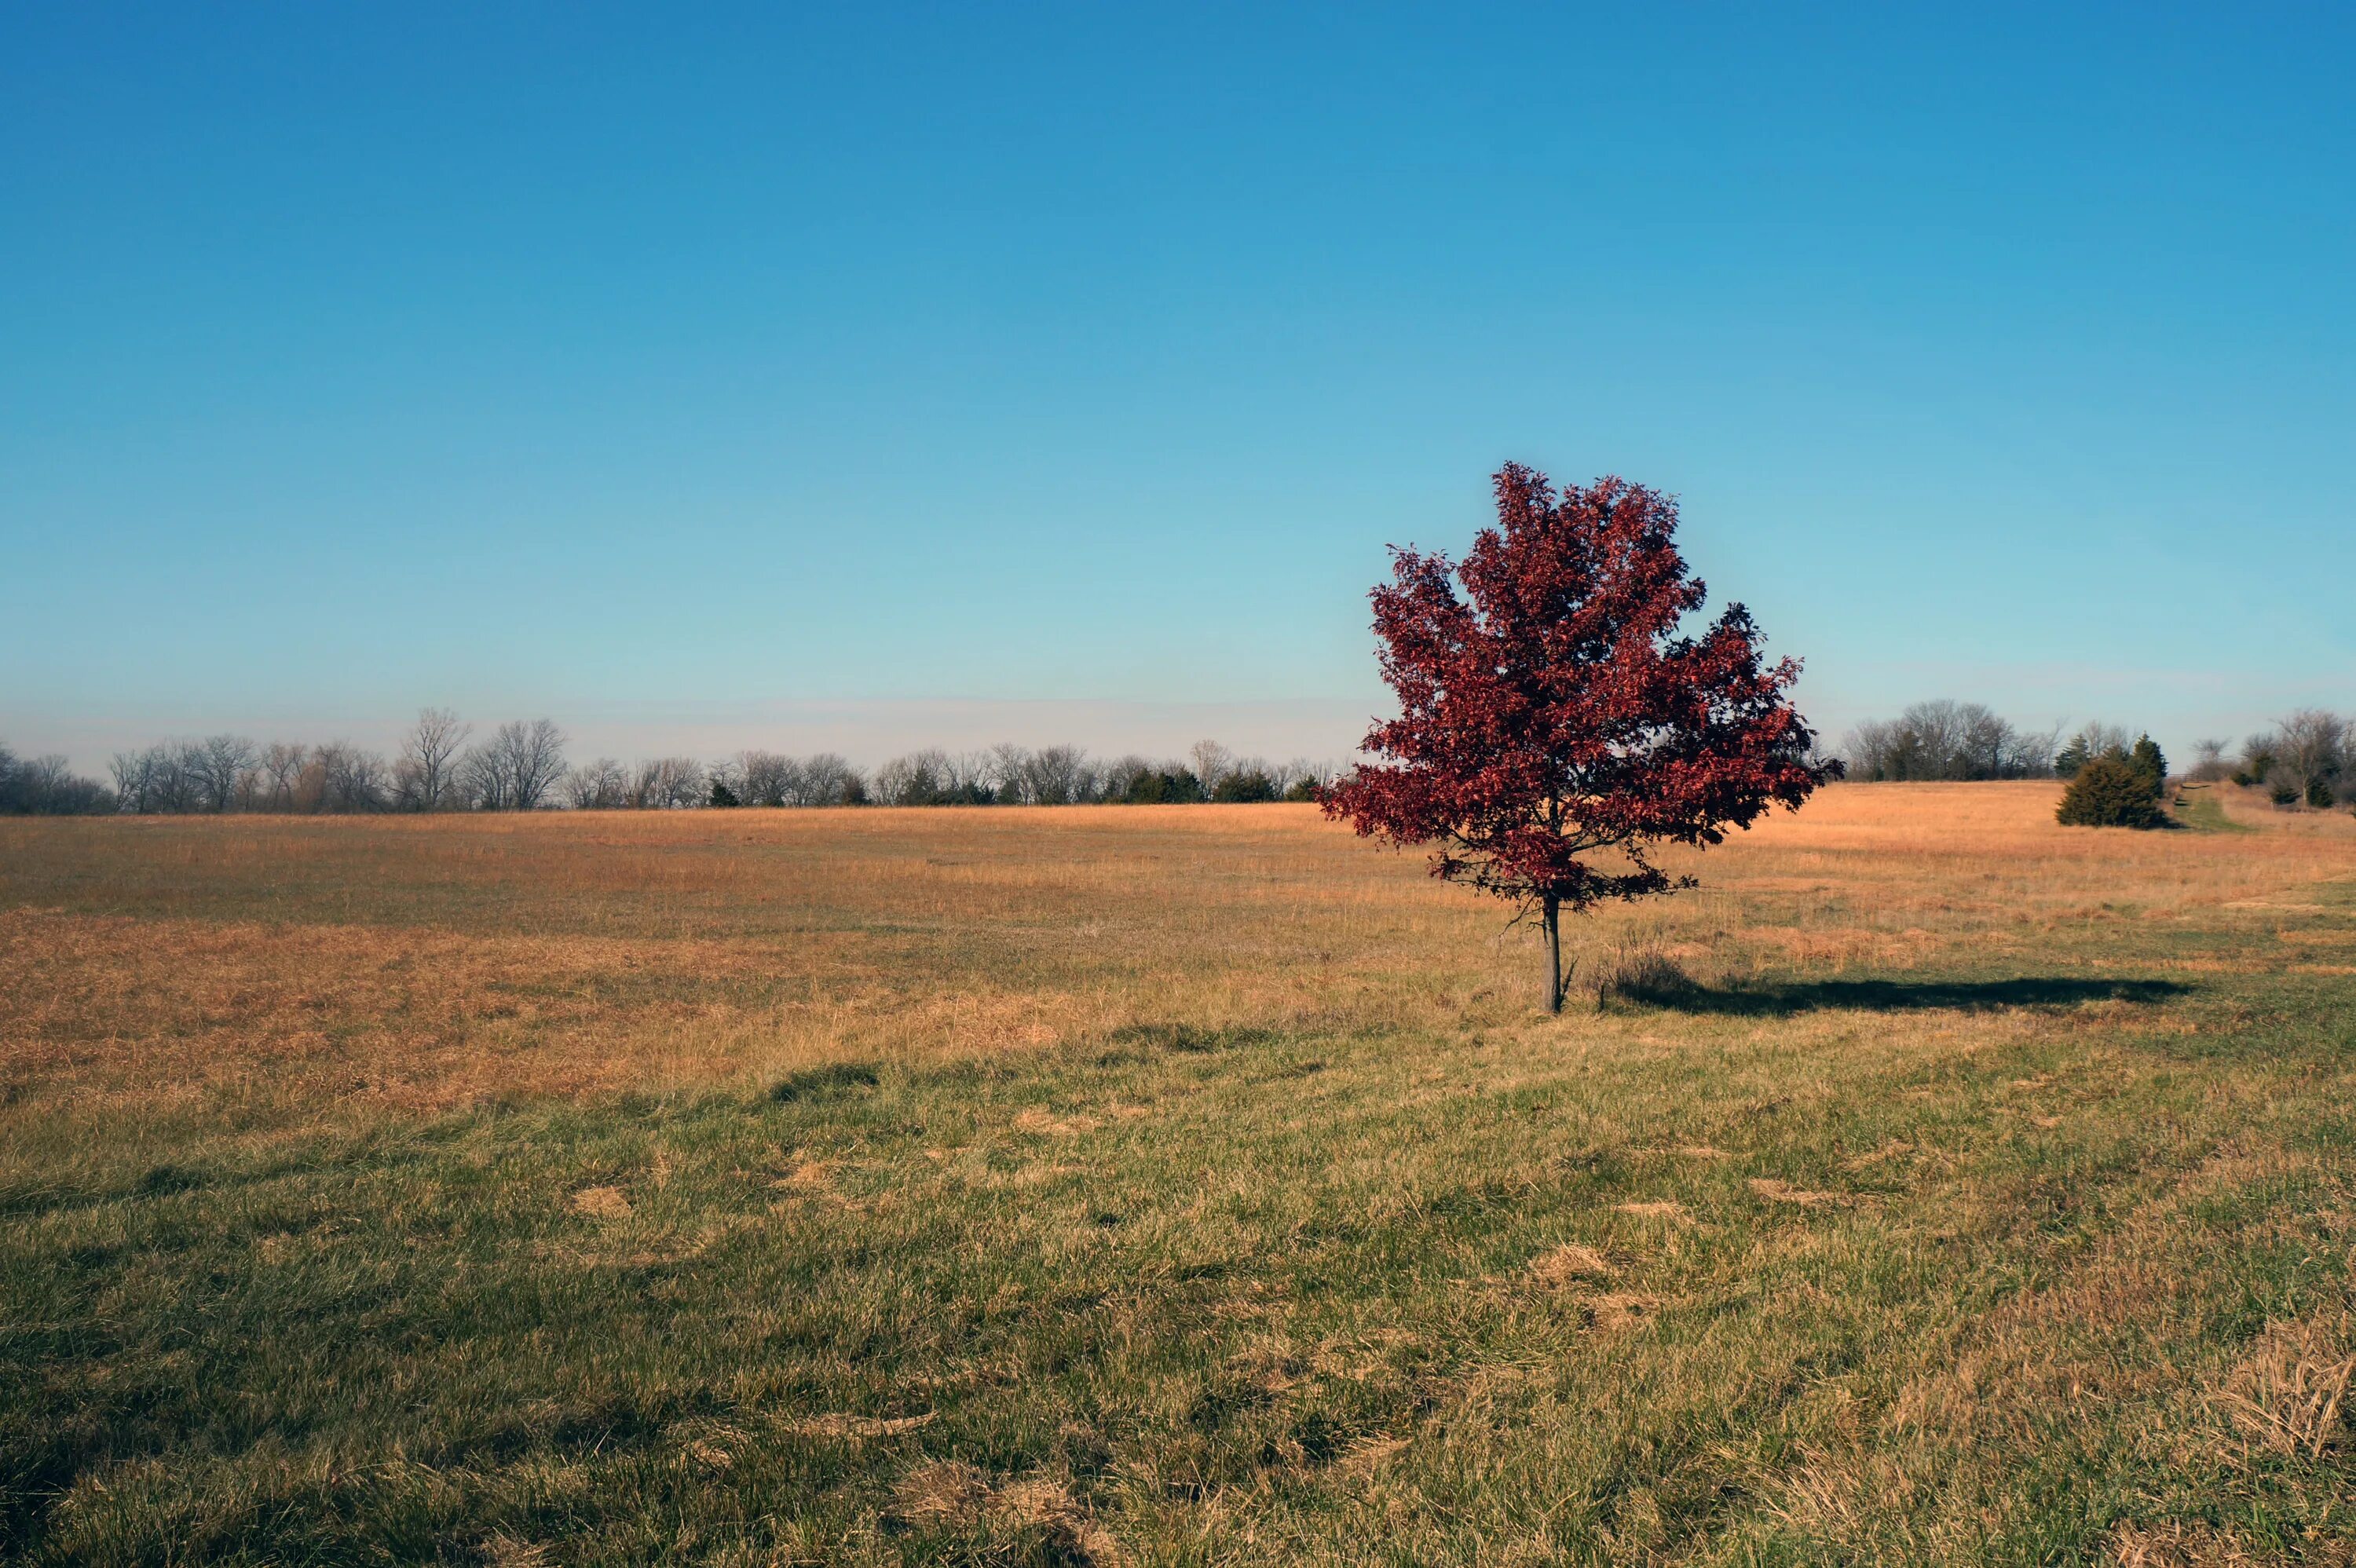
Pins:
x: 1445, y: 1294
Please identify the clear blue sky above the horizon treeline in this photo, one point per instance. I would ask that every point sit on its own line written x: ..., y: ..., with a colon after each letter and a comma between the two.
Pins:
x: 776, y: 376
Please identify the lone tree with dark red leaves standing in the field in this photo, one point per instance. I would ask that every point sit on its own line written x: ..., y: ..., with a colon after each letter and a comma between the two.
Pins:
x: 1554, y: 707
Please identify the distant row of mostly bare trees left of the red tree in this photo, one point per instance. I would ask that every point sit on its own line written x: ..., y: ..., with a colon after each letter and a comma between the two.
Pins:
x: 522, y: 766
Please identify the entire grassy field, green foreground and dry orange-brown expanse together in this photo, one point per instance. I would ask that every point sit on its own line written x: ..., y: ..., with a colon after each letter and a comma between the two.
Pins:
x: 1172, y: 1185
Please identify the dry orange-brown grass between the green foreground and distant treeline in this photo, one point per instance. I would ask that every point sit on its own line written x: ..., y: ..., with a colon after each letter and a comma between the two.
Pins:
x: 435, y: 962
